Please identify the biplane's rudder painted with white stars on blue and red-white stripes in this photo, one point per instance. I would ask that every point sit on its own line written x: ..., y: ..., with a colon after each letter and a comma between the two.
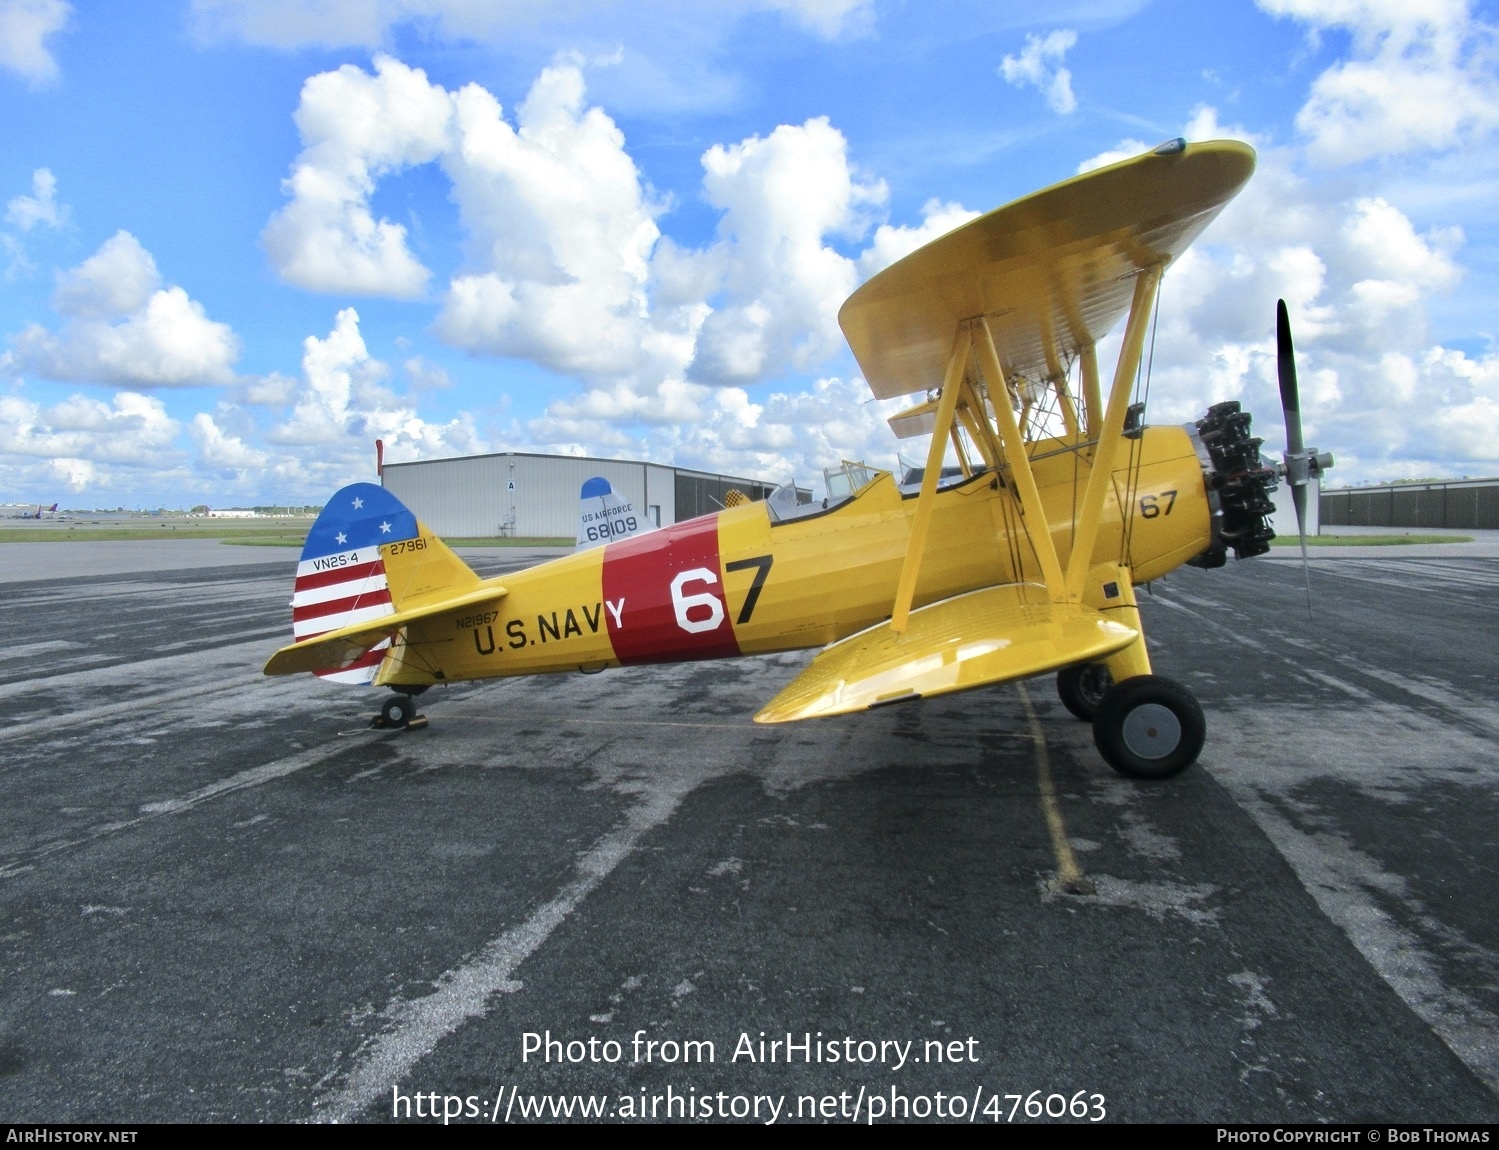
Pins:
x: 341, y: 578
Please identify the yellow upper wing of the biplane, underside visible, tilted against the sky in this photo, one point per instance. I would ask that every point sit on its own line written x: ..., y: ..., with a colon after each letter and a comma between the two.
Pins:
x: 1052, y: 272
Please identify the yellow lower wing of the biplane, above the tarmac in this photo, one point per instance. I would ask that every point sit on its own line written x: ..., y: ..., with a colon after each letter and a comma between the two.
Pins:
x: 995, y: 635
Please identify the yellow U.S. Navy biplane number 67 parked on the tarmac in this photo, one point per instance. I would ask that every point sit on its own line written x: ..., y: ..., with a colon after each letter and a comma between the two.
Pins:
x: 1019, y: 559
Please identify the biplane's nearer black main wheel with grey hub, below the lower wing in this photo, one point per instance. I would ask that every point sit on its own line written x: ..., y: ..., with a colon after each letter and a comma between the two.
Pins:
x: 1149, y: 728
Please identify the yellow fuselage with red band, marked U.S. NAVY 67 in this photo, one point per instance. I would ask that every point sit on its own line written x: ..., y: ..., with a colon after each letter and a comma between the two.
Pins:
x: 741, y: 582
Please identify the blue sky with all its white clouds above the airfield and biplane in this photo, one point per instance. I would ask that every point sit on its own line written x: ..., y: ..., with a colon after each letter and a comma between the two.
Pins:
x: 241, y: 241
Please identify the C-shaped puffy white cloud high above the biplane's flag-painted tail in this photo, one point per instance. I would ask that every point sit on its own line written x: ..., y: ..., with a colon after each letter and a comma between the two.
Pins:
x: 355, y: 130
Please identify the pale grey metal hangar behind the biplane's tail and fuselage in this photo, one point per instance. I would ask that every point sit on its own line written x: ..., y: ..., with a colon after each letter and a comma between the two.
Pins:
x: 518, y: 494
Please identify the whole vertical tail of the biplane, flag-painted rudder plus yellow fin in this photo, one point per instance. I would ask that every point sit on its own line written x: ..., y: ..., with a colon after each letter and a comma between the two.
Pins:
x: 368, y: 557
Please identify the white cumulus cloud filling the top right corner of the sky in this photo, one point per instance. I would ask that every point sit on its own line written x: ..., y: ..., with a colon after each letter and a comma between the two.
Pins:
x: 1420, y: 77
